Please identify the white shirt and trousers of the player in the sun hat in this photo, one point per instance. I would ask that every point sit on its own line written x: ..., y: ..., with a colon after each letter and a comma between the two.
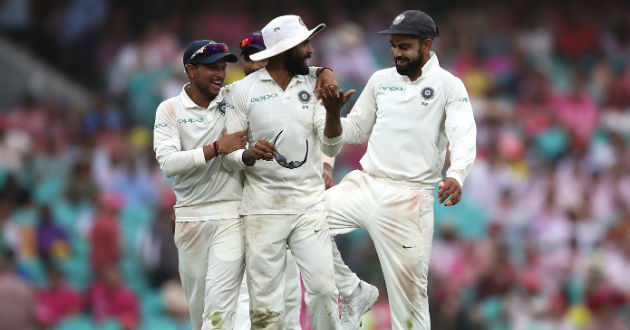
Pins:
x: 280, y: 205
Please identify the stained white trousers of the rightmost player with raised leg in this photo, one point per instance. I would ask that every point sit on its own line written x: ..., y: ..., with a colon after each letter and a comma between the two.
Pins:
x: 398, y: 215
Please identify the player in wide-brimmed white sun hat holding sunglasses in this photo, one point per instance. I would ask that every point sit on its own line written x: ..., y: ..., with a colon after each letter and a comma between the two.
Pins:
x: 283, y: 196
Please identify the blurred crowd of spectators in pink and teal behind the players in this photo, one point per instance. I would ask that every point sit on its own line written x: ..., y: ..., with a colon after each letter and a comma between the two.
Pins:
x: 541, y: 239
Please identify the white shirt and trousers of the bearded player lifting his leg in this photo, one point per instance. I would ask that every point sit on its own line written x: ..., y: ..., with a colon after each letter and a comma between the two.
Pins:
x: 409, y: 124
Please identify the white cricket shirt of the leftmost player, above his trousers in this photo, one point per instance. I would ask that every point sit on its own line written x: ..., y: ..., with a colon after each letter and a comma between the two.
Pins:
x: 204, y: 191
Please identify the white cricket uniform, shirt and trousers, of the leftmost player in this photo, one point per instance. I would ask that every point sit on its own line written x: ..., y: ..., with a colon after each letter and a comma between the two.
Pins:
x: 208, y: 231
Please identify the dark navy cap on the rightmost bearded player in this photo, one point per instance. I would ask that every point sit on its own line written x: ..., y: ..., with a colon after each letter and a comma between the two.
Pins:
x: 413, y: 22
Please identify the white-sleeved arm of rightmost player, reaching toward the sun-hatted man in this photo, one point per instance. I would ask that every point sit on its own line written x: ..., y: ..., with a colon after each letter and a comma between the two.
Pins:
x: 357, y: 126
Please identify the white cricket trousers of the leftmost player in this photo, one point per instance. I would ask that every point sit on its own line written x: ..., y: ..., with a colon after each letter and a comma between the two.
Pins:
x: 211, y: 266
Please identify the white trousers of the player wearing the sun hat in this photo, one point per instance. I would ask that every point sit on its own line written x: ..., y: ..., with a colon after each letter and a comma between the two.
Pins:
x: 308, y: 238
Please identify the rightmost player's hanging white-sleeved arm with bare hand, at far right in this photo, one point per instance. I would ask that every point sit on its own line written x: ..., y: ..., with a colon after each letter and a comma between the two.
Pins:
x: 461, y: 132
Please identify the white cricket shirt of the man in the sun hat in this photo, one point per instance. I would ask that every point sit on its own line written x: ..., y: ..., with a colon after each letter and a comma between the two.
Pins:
x: 258, y: 105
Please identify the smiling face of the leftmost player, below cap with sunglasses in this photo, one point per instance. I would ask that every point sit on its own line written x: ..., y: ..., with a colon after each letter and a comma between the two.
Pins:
x: 207, y: 78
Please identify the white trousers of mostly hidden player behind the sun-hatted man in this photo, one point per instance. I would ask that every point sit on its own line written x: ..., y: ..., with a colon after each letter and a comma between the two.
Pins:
x: 292, y: 299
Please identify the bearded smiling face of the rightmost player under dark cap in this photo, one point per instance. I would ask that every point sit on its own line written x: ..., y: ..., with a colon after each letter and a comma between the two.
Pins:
x: 410, y: 53
